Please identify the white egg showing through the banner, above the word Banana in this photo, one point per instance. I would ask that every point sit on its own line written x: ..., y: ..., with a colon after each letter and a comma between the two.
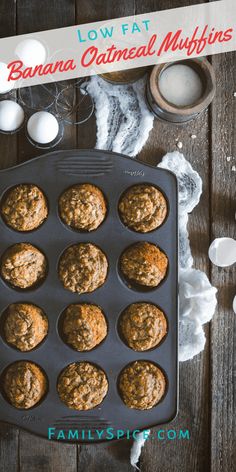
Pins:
x: 31, y: 52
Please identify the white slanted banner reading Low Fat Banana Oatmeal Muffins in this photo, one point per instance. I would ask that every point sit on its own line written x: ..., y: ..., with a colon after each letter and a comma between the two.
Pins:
x: 117, y: 44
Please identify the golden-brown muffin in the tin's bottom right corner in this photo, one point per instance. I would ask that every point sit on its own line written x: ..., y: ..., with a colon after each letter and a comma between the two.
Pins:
x: 142, y: 385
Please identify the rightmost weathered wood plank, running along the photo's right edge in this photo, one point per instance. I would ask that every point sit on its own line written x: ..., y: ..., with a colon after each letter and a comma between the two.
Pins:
x: 223, y: 333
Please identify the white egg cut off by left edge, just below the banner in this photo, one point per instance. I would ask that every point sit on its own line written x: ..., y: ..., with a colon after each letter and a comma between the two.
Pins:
x: 11, y: 115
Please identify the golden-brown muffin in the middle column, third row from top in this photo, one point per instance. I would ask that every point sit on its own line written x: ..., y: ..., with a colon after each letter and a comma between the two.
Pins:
x: 84, y: 326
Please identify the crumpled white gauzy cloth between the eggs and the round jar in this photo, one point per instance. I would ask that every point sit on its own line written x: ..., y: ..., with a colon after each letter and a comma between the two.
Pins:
x: 123, y: 119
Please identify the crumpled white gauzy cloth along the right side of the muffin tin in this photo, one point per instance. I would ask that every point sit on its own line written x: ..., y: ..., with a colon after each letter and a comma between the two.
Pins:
x: 196, y: 294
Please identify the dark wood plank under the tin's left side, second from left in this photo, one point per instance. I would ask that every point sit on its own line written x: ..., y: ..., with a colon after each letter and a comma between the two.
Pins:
x: 35, y: 453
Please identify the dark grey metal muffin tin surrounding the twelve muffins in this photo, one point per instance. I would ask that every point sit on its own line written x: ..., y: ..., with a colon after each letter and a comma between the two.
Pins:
x: 113, y: 174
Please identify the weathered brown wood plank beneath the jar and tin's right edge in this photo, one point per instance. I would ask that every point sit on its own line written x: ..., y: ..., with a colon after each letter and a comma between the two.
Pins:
x: 194, y: 411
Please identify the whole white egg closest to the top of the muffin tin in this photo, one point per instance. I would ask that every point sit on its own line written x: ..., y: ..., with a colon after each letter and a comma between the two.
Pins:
x: 43, y: 127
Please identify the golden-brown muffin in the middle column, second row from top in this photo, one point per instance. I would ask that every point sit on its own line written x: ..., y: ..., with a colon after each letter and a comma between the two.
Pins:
x: 83, y: 268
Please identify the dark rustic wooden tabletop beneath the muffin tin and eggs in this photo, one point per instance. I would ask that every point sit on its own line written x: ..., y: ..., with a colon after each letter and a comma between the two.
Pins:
x: 207, y: 393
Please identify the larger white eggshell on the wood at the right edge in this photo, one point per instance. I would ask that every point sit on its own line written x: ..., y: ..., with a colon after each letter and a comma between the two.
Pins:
x: 222, y: 252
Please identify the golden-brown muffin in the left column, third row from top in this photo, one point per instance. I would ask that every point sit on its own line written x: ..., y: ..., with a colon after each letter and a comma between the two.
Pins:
x: 25, y: 326
